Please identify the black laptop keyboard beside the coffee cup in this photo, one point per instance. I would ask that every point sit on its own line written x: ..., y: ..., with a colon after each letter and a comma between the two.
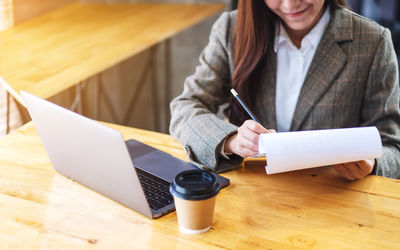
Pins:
x: 155, y: 189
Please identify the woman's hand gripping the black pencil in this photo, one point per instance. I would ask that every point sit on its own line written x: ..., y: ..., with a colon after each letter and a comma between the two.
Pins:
x: 245, y: 141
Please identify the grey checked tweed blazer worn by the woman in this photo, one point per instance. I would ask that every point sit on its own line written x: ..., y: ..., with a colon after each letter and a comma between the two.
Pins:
x: 352, y: 81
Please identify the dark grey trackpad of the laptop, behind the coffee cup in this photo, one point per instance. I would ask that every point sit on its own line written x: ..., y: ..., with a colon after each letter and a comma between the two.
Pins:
x: 162, y: 165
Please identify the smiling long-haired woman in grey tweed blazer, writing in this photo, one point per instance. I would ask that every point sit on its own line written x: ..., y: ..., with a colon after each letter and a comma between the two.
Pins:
x: 299, y: 65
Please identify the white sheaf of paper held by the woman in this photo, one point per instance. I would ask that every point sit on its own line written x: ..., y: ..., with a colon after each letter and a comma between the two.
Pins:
x: 307, y: 149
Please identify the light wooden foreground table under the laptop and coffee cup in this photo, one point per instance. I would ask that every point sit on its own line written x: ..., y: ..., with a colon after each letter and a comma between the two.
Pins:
x: 312, y: 208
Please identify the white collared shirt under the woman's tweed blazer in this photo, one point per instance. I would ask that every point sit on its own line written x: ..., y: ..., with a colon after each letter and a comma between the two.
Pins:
x: 292, y: 67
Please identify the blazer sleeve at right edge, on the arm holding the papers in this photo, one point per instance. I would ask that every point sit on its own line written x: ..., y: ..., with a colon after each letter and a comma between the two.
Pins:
x: 381, y: 106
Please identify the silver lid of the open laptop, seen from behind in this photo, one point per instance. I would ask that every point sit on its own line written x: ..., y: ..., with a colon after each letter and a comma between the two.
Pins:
x: 88, y: 152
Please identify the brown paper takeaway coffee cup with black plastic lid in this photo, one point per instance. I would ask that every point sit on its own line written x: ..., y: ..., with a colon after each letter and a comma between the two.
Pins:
x: 194, y: 194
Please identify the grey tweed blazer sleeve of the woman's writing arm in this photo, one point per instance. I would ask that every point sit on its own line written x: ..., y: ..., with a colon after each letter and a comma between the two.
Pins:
x: 194, y: 122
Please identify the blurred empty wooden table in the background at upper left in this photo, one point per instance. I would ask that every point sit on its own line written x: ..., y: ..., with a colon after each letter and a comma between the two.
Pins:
x: 53, y: 52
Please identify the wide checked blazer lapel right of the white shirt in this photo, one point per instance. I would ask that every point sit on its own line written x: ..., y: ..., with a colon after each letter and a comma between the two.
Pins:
x: 327, y: 63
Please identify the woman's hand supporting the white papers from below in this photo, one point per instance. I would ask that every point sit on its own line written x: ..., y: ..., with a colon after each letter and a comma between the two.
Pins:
x: 355, y: 170
